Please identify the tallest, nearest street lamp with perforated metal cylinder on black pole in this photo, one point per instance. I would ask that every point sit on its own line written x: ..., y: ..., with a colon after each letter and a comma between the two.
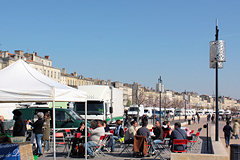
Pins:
x: 217, y: 57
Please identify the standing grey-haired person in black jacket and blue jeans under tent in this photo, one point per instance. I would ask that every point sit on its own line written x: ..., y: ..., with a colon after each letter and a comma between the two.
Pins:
x: 38, y: 131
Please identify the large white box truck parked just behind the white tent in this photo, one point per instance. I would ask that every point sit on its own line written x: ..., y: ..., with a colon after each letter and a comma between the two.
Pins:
x: 103, y: 103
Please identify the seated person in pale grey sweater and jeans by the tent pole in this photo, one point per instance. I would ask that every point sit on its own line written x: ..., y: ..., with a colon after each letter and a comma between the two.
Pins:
x: 93, y: 140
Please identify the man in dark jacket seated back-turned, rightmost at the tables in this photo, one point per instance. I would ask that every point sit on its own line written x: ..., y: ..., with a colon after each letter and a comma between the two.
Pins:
x: 178, y: 133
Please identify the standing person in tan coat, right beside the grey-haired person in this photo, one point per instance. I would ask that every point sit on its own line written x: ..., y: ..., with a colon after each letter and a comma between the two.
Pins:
x: 46, y: 131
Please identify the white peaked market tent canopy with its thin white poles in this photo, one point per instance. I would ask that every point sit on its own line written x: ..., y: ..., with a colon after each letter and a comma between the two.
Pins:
x: 20, y: 82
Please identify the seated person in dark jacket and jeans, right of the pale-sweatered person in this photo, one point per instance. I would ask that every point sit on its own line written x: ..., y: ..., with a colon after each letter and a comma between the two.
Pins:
x: 118, y: 134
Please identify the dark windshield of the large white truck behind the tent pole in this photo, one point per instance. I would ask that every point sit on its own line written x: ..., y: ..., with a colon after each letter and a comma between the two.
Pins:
x: 93, y: 108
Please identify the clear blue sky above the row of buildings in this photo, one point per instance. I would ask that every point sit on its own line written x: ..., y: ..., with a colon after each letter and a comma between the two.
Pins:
x: 129, y: 40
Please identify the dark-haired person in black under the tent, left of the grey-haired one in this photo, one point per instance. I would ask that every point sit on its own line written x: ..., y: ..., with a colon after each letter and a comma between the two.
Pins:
x: 19, y: 128
